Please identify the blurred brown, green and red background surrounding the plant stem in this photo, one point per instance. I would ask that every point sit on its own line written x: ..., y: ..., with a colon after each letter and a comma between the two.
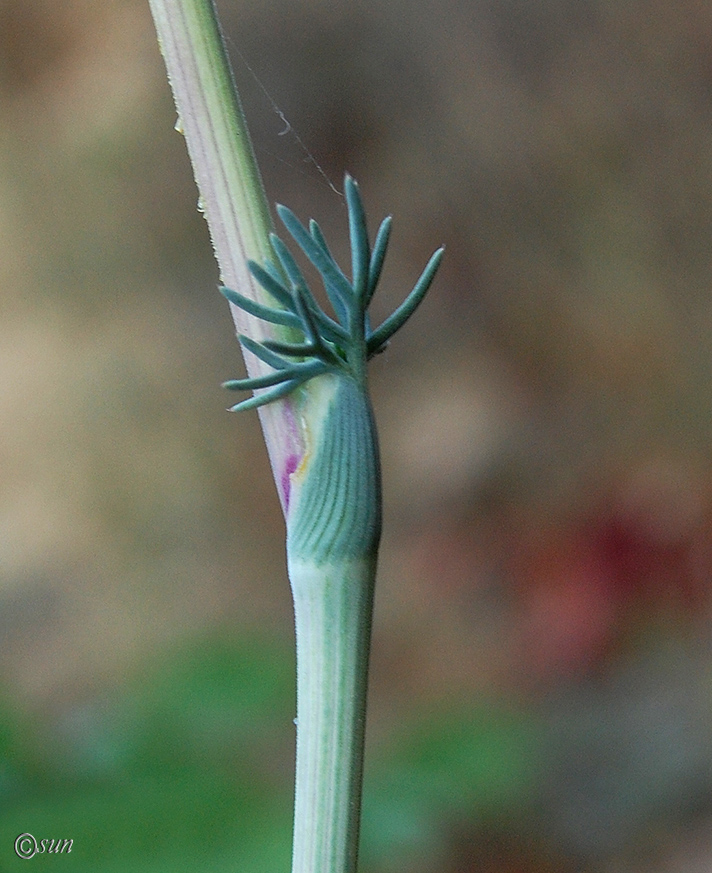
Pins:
x: 541, y: 693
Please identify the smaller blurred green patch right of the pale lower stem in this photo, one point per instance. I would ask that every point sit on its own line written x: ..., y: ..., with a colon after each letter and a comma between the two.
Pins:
x: 462, y: 769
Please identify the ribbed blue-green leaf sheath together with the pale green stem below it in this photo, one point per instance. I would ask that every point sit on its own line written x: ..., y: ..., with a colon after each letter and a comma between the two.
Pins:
x: 333, y: 531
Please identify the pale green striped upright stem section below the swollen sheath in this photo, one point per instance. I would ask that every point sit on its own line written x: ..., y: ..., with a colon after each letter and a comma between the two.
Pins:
x: 333, y: 607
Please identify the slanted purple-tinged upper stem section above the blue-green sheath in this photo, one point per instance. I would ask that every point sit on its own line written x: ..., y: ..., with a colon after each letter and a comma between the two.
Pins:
x: 231, y: 193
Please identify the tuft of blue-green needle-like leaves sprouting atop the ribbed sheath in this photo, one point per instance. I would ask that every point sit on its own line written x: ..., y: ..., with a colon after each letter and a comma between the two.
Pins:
x: 339, y: 345
